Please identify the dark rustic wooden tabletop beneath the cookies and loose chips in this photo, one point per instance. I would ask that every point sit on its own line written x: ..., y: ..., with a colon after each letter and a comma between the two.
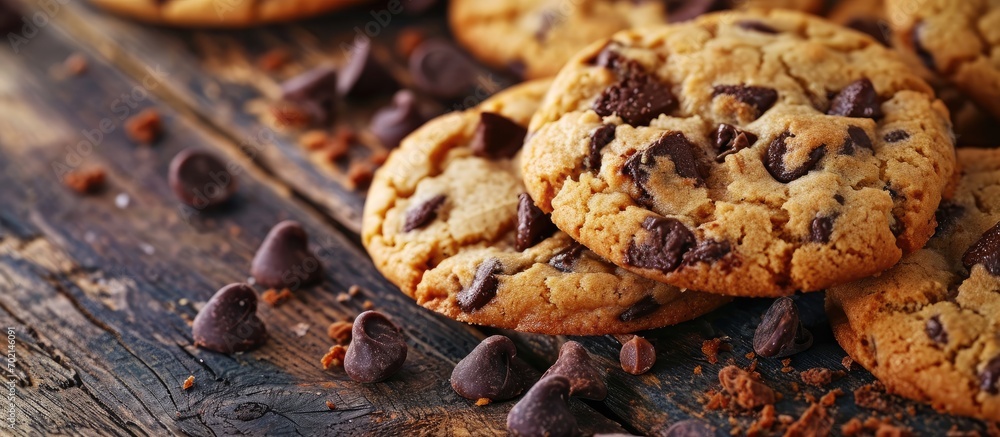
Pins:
x: 100, y: 298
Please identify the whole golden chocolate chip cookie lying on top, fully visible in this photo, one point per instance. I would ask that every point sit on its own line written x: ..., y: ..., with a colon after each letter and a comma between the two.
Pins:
x: 750, y: 154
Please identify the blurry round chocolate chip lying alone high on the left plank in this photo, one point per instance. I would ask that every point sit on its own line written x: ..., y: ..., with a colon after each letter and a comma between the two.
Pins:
x: 199, y: 179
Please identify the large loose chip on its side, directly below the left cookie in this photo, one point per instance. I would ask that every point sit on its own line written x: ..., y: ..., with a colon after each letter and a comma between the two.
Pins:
x: 491, y: 371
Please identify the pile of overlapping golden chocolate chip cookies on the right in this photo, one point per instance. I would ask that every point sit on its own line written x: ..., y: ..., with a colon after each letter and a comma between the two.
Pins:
x: 755, y: 153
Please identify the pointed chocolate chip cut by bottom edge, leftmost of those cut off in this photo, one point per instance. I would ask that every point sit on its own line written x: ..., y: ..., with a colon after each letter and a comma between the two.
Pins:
x: 544, y: 411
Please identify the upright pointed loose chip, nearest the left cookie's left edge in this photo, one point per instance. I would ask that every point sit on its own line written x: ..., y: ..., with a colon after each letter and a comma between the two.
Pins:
x: 284, y: 260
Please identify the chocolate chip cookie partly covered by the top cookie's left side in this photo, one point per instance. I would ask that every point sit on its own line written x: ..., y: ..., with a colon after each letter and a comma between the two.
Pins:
x: 448, y: 221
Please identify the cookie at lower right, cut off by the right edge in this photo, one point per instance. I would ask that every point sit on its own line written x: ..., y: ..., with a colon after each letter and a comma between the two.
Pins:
x: 929, y: 328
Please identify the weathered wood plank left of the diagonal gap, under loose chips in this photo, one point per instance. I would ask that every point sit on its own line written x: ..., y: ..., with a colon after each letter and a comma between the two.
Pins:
x: 107, y: 293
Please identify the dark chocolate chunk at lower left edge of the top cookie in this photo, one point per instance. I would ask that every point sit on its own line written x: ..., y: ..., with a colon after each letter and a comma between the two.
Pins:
x: 663, y: 247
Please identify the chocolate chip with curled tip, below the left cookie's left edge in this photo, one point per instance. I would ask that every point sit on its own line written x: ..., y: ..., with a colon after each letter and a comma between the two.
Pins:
x: 377, y: 349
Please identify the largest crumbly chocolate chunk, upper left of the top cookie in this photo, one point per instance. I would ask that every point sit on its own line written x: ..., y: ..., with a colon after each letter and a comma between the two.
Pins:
x: 637, y: 98
